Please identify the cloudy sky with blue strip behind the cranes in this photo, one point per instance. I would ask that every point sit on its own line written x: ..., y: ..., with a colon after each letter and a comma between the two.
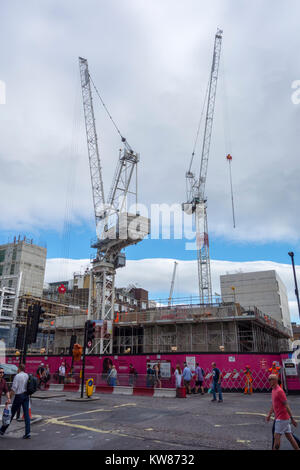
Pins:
x: 151, y: 61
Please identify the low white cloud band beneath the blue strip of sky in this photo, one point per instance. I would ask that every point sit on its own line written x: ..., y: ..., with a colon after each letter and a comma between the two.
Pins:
x: 155, y: 275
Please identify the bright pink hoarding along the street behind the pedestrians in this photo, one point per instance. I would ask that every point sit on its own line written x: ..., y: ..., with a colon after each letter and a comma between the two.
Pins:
x: 232, y: 366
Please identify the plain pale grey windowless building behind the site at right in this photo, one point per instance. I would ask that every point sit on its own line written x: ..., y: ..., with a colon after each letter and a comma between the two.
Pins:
x: 264, y: 290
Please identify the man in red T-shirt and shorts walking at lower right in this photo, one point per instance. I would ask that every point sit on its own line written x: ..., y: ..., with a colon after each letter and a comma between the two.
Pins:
x: 283, y: 415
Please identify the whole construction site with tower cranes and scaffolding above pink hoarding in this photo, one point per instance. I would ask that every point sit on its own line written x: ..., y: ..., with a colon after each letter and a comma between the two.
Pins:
x: 127, y: 321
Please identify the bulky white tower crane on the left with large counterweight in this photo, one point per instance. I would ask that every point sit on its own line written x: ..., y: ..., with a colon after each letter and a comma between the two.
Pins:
x: 115, y: 227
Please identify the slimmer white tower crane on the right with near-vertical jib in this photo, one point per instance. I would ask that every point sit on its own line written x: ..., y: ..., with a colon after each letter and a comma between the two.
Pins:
x: 196, y: 199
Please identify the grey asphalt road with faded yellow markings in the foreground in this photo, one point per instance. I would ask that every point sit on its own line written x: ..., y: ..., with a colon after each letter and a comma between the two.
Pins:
x: 146, y: 423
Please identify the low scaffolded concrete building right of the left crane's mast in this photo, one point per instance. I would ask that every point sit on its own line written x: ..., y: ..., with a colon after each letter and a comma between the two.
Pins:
x: 213, y: 328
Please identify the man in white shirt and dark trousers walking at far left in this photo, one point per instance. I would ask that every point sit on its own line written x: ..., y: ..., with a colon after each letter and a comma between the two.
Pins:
x: 21, y: 398
